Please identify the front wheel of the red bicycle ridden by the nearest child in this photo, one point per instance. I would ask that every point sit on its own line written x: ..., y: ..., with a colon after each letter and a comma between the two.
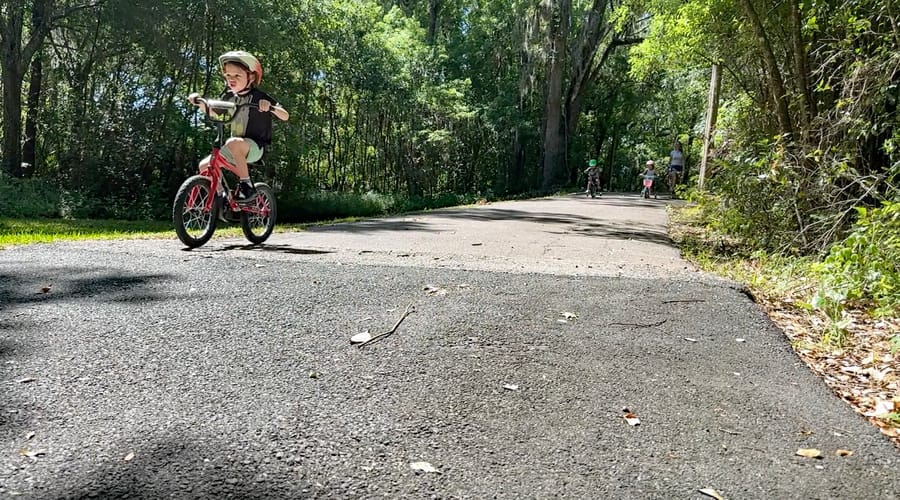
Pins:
x: 194, y: 224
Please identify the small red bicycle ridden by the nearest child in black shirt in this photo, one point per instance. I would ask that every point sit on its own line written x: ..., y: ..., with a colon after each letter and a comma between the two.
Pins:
x: 203, y: 199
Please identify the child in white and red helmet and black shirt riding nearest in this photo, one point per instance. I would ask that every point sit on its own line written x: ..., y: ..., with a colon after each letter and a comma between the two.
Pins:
x: 251, y: 129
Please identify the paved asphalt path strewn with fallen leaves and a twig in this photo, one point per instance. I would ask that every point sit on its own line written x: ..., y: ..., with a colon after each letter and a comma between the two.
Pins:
x: 148, y: 371
